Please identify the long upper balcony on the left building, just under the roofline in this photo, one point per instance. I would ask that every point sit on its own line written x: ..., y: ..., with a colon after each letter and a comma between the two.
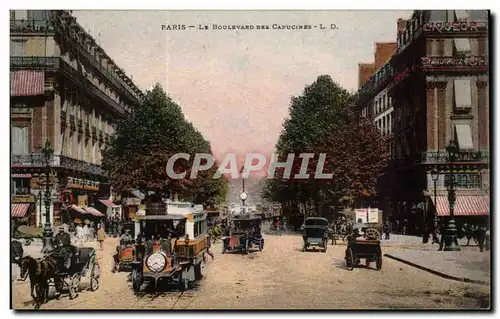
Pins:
x: 58, y: 64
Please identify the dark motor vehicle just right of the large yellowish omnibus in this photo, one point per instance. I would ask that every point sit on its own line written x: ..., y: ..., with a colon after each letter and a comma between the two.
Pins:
x: 244, y: 234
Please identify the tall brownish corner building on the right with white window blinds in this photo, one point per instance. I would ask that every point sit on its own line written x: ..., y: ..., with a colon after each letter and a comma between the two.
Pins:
x: 439, y: 88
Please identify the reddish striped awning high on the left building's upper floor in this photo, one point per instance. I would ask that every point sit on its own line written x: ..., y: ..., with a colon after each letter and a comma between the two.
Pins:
x: 27, y: 83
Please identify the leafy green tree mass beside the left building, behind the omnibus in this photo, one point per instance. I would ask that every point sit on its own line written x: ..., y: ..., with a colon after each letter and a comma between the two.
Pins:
x: 142, y: 144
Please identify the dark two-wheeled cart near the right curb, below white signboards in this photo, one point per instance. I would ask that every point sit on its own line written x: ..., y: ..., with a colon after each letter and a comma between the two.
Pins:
x: 368, y: 249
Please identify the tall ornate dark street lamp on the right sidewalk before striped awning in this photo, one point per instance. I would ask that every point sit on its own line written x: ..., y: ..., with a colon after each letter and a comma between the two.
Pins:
x: 450, y: 235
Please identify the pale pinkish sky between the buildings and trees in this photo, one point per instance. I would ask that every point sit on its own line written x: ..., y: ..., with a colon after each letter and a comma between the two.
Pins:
x: 236, y: 85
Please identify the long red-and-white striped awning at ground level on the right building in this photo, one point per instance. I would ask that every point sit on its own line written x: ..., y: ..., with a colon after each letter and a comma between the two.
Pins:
x: 473, y: 205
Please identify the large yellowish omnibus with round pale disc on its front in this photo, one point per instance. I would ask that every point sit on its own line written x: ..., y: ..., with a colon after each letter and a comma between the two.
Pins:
x: 173, y: 250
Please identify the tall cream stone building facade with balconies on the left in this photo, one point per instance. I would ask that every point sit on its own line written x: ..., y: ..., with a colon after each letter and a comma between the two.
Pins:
x: 65, y: 90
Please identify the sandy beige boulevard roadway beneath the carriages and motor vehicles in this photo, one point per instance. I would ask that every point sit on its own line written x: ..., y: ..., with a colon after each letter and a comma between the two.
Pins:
x: 280, y: 277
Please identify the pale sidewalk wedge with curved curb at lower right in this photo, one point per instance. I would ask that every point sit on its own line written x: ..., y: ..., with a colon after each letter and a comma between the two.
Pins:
x: 469, y: 266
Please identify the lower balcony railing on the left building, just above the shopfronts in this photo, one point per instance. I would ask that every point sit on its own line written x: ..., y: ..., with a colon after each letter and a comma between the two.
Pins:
x: 37, y: 160
